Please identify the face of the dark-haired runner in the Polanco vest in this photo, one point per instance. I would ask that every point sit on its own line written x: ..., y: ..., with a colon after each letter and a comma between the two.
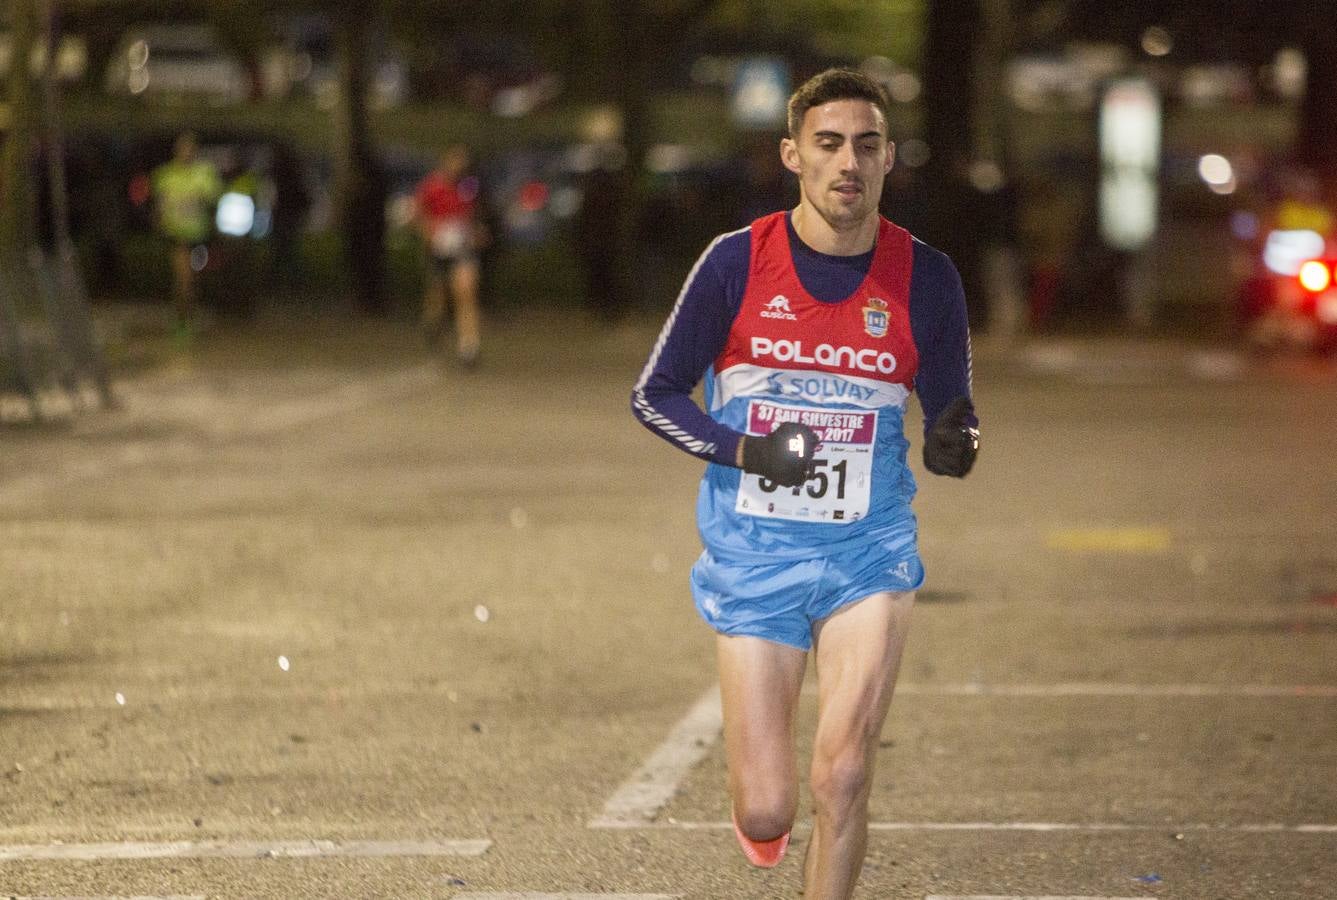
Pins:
x: 842, y: 157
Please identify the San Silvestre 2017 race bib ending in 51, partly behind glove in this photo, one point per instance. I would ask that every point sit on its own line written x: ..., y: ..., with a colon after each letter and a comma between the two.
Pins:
x: 842, y: 482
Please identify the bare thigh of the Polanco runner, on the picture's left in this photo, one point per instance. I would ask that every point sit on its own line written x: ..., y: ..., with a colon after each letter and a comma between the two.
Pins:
x: 760, y: 683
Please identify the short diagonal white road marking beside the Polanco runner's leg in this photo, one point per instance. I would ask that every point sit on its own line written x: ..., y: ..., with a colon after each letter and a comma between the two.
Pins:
x: 644, y: 795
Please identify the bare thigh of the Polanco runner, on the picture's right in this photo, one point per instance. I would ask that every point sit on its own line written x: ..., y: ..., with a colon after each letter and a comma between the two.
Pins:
x: 858, y: 656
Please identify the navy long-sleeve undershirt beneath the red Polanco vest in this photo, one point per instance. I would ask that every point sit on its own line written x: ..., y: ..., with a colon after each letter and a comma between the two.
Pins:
x: 712, y: 296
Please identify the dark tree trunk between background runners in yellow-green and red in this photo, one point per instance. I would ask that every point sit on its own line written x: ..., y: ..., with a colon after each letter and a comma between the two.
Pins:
x: 359, y: 183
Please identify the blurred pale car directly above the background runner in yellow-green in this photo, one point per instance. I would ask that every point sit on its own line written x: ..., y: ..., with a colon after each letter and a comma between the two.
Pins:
x: 177, y: 62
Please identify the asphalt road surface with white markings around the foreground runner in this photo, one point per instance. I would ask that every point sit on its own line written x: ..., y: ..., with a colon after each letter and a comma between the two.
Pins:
x: 316, y: 616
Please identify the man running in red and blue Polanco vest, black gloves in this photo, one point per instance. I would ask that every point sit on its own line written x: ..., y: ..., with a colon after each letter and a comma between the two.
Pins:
x: 811, y: 330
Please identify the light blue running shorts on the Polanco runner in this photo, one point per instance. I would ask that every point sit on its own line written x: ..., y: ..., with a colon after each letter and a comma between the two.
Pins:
x: 783, y: 601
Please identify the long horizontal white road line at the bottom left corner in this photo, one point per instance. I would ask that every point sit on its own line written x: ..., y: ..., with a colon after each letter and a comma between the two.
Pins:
x: 239, y: 850
